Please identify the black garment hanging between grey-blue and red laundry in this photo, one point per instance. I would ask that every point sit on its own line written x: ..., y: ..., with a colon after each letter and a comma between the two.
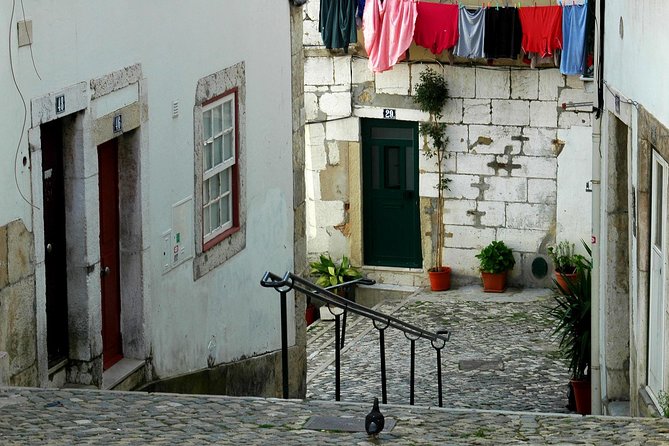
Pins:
x: 503, y: 33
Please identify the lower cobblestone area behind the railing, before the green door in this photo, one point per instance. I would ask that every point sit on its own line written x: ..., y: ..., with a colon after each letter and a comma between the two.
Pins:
x: 510, y: 359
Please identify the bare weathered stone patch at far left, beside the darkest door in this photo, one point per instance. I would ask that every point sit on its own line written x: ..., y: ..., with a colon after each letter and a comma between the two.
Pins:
x: 18, y: 329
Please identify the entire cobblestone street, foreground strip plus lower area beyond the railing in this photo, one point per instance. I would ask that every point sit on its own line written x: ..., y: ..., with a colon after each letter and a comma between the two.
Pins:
x: 500, y: 356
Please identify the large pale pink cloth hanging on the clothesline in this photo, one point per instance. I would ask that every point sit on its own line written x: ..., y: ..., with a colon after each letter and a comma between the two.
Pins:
x: 388, y: 27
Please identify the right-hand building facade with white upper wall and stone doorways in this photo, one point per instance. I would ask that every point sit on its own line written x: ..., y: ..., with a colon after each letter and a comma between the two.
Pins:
x: 635, y: 123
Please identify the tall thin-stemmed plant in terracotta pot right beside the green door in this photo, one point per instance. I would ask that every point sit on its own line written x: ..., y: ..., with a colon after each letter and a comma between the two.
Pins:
x: 431, y: 94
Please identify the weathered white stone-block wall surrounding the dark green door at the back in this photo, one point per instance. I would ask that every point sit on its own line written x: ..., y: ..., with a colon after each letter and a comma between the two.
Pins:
x: 509, y: 136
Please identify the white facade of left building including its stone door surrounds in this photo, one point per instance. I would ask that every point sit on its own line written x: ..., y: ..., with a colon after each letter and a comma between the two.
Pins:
x: 150, y: 55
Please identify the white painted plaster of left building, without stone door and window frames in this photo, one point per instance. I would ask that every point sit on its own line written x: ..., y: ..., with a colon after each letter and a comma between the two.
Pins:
x: 176, y: 44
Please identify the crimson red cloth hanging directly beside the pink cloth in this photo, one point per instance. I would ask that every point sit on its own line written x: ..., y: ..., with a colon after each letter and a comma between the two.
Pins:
x: 436, y: 26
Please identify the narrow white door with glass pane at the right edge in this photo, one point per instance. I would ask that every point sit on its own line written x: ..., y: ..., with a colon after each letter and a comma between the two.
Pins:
x: 658, y: 258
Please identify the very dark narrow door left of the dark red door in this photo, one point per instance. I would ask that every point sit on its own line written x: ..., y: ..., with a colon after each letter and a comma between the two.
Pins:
x: 55, y: 262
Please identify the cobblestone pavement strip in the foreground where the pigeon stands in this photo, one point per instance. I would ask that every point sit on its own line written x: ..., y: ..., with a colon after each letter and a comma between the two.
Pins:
x: 73, y: 417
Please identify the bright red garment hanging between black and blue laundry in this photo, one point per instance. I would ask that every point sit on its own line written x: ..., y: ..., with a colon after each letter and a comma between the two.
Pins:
x: 542, y: 29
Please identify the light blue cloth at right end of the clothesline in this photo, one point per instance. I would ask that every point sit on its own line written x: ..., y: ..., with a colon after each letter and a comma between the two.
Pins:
x: 573, y: 32
